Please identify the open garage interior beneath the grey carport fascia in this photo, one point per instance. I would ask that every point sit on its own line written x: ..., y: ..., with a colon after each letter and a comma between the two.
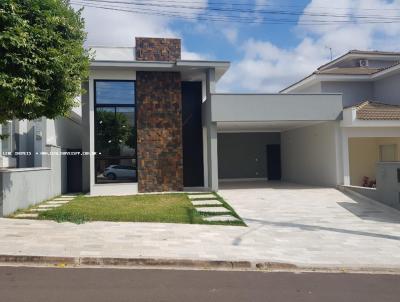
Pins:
x: 297, y: 152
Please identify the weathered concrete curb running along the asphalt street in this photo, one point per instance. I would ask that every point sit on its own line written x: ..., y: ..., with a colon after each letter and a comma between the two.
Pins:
x: 185, y: 264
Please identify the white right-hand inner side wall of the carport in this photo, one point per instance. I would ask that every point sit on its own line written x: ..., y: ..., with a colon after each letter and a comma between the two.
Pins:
x: 310, y: 155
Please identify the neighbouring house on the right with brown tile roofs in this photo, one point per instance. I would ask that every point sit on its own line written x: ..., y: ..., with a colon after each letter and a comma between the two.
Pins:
x: 370, y: 128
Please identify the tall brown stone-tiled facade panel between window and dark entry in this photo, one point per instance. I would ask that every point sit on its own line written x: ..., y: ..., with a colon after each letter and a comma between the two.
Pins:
x: 159, y: 131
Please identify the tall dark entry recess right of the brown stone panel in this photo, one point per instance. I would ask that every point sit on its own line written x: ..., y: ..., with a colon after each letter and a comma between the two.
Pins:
x: 193, y: 173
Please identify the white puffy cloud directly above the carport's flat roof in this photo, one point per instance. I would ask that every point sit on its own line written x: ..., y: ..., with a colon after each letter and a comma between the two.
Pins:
x: 266, y: 67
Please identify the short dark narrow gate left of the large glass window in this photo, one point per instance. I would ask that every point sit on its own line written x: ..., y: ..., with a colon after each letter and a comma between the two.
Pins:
x: 74, y: 171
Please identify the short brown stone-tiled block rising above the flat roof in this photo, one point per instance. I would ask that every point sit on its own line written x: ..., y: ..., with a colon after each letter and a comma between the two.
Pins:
x: 158, y: 49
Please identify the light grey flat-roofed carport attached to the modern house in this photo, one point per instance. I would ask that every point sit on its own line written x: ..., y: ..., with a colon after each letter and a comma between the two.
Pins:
x: 289, y: 137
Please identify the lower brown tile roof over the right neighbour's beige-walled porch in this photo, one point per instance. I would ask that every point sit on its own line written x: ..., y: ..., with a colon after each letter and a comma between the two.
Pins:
x: 369, y: 110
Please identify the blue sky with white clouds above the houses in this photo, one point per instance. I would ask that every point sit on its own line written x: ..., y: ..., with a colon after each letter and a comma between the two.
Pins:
x: 264, y: 57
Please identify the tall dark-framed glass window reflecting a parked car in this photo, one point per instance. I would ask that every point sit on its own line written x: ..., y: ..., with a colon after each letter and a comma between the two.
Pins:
x: 115, y: 132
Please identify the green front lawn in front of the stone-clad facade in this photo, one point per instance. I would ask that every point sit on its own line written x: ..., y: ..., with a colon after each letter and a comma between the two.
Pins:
x: 174, y: 208
